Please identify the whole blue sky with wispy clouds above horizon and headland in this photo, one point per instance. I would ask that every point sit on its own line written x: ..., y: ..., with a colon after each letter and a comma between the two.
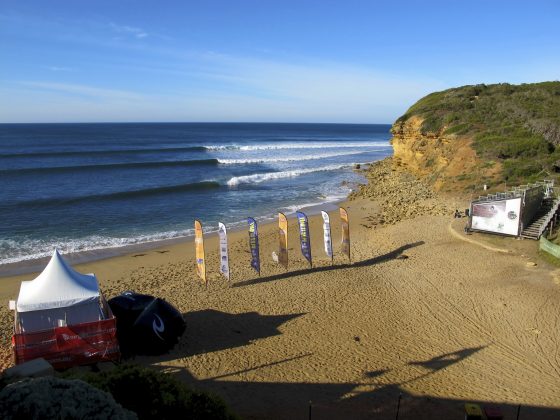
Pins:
x: 263, y: 61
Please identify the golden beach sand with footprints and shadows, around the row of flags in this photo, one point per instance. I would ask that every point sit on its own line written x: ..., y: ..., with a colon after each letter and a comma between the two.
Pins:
x: 424, y: 311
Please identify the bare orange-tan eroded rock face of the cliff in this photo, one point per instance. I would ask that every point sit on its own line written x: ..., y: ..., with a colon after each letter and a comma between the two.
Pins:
x: 446, y: 162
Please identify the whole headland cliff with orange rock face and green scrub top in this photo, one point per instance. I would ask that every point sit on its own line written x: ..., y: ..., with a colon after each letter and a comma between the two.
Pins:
x: 461, y: 138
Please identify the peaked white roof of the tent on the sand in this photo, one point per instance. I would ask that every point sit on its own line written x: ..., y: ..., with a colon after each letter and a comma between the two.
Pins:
x: 58, y: 286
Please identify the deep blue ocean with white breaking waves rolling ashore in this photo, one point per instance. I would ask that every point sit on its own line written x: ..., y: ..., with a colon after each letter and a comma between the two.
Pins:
x: 83, y: 187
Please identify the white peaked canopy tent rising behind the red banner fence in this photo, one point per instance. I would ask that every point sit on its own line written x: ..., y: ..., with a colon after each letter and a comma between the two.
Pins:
x: 58, y: 296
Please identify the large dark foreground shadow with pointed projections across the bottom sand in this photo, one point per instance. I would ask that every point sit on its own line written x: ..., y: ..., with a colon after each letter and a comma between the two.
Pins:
x: 375, y: 397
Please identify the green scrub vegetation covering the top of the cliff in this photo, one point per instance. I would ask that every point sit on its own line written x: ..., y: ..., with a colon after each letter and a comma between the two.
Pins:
x: 518, y: 126
